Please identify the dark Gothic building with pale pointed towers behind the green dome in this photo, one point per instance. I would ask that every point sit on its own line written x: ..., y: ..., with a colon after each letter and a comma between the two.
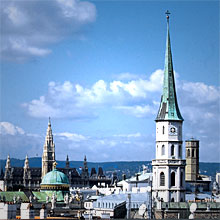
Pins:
x: 29, y: 178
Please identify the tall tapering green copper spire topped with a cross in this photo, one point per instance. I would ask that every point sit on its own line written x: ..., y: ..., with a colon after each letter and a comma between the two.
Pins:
x: 169, y: 109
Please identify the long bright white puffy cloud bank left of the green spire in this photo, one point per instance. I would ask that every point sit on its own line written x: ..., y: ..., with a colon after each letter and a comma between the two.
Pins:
x: 70, y: 100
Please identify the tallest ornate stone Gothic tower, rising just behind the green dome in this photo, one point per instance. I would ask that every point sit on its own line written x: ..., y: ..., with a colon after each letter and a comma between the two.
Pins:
x: 48, y: 157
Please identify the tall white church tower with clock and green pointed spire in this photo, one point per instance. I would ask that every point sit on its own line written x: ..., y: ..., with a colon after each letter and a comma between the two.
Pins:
x: 169, y: 167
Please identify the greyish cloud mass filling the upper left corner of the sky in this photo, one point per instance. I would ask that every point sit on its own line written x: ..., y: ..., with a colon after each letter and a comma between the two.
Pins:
x: 28, y: 28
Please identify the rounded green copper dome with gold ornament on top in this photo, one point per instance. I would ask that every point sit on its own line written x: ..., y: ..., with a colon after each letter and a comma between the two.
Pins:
x: 55, y: 180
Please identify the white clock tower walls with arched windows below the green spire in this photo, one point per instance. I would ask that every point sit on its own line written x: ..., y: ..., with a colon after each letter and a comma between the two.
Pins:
x: 169, y: 168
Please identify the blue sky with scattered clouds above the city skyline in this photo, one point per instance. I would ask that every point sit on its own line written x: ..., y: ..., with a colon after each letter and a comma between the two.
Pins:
x: 96, y: 68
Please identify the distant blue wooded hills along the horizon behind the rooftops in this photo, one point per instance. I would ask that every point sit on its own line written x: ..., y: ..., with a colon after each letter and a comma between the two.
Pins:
x: 121, y: 167
